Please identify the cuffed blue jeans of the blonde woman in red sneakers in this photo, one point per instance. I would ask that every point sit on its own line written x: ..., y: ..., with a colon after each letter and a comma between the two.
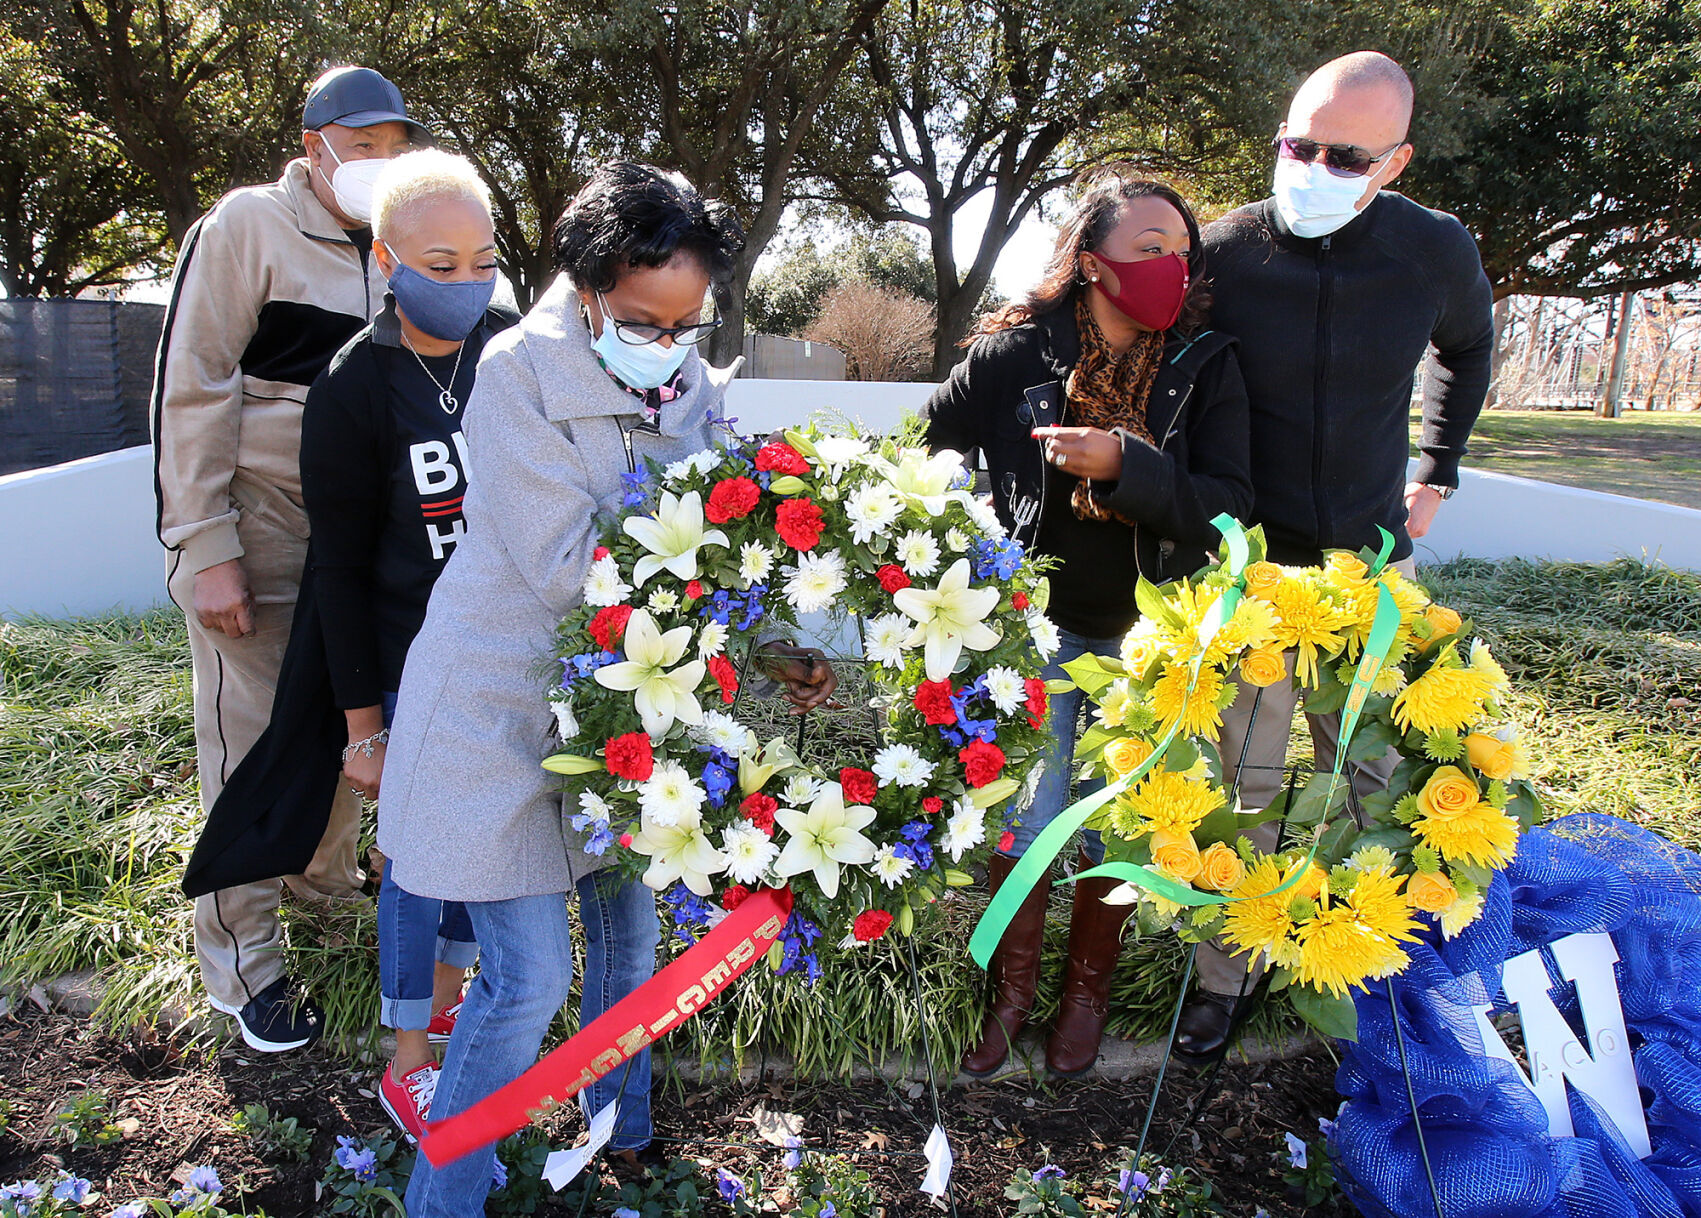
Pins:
x: 414, y: 936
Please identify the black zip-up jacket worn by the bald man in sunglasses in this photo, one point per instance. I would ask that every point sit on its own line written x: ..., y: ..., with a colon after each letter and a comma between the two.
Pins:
x: 1331, y: 333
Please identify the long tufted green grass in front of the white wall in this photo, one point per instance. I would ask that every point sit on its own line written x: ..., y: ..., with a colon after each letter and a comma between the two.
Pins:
x: 100, y: 811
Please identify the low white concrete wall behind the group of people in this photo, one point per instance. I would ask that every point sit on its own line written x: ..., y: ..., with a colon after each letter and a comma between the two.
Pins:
x: 79, y: 538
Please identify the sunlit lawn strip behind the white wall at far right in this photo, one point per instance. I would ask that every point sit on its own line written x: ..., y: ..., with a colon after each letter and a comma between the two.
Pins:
x: 1646, y: 455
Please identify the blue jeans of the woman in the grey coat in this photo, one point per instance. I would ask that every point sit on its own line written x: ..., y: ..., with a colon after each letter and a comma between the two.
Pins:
x: 528, y: 965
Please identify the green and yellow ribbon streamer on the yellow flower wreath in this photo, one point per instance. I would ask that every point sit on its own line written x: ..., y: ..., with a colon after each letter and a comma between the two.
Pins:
x: 1055, y: 836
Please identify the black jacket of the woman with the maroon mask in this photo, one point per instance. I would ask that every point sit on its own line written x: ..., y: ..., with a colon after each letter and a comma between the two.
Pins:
x: 1200, y: 465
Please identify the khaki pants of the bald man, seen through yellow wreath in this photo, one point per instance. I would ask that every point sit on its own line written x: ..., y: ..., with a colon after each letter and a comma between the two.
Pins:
x: 1261, y: 780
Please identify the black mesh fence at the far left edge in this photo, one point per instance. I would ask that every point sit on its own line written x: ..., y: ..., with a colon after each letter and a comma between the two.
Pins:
x: 74, y: 378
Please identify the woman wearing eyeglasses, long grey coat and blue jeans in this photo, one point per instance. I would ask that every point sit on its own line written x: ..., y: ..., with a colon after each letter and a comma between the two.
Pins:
x: 594, y: 382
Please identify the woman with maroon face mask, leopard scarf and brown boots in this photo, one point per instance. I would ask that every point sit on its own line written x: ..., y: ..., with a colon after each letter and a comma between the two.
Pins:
x: 1115, y: 428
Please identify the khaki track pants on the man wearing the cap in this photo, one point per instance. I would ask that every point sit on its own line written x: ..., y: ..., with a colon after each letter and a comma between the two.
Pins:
x: 239, y: 938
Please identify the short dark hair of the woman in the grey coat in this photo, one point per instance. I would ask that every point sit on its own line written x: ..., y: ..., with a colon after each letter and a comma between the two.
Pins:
x: 632, y: 215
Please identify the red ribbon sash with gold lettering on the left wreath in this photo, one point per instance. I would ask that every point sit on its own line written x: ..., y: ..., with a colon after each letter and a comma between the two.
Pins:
x: 649, y: 1013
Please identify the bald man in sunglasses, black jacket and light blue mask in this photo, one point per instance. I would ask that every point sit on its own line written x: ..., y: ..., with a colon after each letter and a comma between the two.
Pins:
x: 1338, y: 290
